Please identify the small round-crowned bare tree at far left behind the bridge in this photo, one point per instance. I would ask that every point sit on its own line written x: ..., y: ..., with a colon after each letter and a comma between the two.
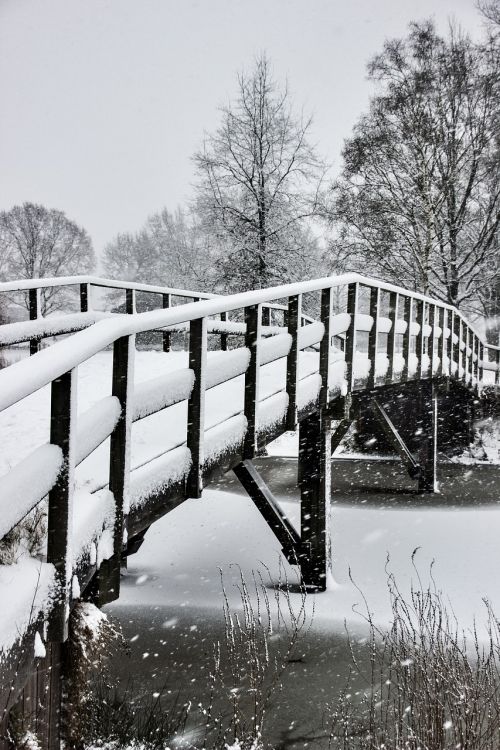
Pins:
x: 37, y: 242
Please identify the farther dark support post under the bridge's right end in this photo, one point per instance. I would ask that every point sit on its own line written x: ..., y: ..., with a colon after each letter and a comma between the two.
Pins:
x: 427, y: 481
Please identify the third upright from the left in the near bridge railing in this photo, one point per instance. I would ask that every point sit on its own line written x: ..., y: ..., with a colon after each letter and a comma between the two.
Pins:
x: 196, y: 405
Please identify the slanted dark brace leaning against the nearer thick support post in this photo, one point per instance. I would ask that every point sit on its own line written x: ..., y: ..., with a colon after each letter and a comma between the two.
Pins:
x: 269, y: 508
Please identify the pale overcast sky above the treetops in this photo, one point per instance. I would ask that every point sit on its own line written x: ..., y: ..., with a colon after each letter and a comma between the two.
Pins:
x: 105, y: 101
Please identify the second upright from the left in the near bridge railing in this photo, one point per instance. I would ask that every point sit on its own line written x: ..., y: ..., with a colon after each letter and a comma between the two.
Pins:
x: 119, y: 464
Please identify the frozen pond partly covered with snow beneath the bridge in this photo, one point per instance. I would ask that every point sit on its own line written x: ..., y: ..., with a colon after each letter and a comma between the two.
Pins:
x: 170, y: 607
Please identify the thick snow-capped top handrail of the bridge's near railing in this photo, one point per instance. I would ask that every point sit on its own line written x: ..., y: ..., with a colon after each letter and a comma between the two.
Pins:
x: 27, y: 376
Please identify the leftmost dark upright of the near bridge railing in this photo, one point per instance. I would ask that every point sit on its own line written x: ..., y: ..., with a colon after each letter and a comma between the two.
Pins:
x: 60, y: 515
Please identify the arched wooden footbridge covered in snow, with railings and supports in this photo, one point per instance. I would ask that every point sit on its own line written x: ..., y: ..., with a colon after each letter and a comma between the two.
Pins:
x: 314, y: 355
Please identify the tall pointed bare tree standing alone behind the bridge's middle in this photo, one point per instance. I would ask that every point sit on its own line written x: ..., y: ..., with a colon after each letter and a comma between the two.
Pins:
x: 258, y: 183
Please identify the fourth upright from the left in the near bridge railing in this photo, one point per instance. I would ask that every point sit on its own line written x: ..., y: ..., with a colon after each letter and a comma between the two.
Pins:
x: 253, y: 319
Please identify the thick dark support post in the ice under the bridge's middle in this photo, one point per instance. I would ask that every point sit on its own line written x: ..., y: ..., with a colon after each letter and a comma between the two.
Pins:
x: 315, y: 492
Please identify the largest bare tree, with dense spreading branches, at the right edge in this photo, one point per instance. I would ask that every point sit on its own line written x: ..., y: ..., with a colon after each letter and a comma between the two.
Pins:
x: 419, y: 197
